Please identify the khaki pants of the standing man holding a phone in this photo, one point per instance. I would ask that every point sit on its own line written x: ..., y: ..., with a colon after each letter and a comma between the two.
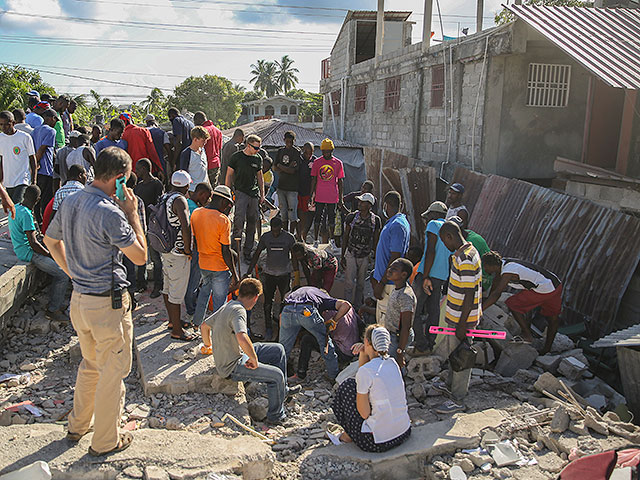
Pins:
x: 105, y: 338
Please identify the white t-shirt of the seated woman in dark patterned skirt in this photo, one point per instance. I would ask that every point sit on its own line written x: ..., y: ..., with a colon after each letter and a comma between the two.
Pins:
x: 382, y: 380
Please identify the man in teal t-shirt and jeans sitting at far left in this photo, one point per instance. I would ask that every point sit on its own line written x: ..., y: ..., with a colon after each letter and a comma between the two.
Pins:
x: 28, y: 248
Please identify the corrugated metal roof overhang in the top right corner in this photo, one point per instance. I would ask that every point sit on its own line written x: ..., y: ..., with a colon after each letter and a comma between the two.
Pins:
x: 605, y: 41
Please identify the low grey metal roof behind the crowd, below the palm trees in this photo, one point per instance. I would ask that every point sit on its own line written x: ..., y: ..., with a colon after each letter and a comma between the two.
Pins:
x: 272, y: 133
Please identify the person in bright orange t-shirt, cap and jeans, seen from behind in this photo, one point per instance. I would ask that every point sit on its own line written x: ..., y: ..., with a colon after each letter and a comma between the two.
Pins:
x: 212, y: 233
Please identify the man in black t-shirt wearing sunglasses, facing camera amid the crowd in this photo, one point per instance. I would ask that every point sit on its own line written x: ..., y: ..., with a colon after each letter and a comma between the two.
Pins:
x: 244, y: 175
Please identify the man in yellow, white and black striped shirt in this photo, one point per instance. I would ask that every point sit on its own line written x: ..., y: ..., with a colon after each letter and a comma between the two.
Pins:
x: 464, y: 309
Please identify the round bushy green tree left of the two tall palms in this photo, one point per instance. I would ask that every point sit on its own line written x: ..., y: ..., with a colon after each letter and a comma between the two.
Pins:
x: 216, y: 96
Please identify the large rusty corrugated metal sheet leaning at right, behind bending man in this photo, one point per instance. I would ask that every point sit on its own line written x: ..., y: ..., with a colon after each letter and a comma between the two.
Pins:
x: 593, y: 249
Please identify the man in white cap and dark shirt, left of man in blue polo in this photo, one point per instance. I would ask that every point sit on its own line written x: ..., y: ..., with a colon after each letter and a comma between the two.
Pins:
x: 361, y: 232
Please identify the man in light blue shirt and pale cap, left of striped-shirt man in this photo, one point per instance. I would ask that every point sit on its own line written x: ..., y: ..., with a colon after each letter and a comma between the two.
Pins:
x: 432, y: 275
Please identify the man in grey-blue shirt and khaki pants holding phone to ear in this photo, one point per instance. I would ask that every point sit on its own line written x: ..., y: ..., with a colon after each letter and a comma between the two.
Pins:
x: 90, y: 252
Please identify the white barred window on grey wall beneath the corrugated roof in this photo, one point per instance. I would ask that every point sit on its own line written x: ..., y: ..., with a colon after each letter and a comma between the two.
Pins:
x: 548, y: 85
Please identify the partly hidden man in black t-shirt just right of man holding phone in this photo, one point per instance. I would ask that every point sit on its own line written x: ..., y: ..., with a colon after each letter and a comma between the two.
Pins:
x: 149, y: 189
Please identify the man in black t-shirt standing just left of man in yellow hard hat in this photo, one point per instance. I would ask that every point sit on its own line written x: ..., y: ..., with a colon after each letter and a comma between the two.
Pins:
x: 286, y: 165
